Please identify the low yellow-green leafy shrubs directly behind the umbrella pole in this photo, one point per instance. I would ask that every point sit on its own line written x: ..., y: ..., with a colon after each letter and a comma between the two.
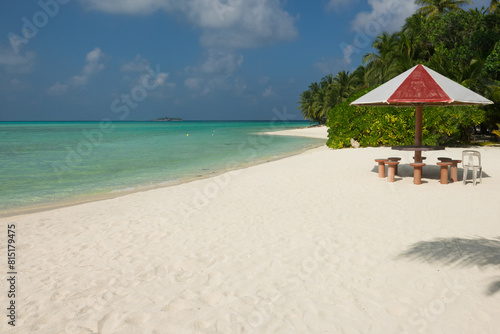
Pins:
x: 389, y: 126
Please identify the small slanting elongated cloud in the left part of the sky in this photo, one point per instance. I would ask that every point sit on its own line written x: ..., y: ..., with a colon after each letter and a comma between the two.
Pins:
x: 92, y: 67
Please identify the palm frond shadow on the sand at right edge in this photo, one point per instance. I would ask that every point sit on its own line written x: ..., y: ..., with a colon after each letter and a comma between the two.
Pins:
x: 461, y: 252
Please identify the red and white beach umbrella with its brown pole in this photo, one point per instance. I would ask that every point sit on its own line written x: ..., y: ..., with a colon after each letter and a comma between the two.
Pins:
x: 420, y: 86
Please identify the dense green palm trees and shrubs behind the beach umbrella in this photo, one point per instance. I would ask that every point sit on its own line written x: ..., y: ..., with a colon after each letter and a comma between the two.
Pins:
x: 463, y: 45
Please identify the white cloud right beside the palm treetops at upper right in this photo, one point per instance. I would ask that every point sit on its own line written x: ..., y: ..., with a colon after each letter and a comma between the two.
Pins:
x: 386, y: 15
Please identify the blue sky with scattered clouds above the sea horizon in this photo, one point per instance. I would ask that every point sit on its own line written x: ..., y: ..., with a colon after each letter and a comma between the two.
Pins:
x: 195, y: 59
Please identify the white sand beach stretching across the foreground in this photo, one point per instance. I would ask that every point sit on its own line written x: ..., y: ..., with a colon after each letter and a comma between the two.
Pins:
x: 313, y: 243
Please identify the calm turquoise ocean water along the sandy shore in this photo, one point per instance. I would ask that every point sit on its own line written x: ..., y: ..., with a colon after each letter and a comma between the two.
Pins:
x: 44, y: 165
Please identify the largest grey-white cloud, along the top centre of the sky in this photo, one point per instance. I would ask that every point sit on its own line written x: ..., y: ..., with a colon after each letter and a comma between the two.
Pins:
x: 224, y: 23
